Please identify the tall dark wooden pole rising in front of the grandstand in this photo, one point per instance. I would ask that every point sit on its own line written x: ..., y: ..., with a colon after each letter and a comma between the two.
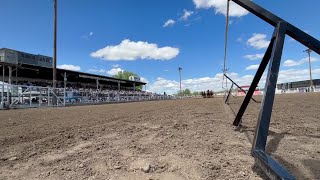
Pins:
x: 54, y: 70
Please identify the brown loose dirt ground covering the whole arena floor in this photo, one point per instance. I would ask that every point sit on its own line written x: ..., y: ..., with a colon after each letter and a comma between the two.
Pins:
x: 163, y: 140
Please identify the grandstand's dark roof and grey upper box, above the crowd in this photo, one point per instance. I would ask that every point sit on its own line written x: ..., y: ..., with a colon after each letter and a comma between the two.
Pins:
x: 30, y: 69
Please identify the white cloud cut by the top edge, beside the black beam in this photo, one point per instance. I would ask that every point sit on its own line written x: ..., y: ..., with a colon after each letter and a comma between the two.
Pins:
x: 220, y: 7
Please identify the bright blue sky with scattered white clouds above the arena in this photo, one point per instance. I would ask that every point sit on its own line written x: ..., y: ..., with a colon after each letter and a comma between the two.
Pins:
x: 154, y: 38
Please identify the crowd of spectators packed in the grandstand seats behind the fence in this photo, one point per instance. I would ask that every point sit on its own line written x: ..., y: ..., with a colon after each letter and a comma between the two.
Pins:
x: 86, y: 93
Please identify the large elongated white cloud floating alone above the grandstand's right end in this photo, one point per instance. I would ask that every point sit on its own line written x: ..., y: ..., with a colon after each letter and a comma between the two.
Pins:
x: 130, y: 51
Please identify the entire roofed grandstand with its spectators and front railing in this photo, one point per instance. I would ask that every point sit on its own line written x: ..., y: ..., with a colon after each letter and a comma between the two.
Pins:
x: 27, y: 80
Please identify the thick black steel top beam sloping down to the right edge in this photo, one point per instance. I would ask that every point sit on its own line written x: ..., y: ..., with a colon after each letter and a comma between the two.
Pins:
x: 272, y: 19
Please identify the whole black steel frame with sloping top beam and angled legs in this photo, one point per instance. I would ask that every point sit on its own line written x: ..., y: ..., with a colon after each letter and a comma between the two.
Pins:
x: 272, y: 56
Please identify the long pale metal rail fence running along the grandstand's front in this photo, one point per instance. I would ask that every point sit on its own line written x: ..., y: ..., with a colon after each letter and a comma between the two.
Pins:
x: 19, y: 96
